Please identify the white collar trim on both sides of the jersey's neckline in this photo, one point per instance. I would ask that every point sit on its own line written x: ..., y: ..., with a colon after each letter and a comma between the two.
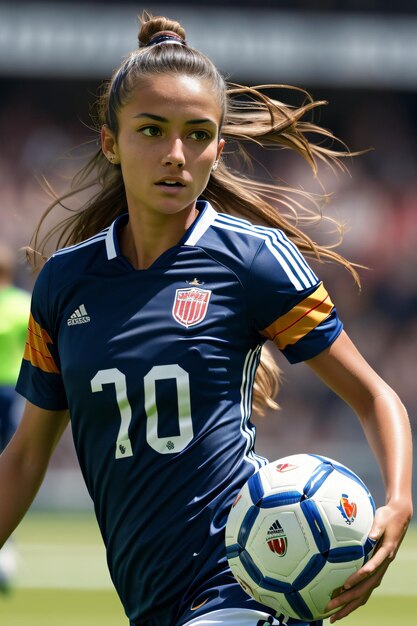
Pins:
x: 206, y: 217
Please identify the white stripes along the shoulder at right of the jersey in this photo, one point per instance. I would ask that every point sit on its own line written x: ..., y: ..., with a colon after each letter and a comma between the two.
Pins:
x: 286, y: 253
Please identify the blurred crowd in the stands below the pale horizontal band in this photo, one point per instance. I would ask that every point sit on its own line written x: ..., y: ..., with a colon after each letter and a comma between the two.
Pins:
x: 43, y: 120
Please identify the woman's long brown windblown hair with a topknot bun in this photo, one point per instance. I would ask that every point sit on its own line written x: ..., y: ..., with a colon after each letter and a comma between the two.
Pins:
x: 250, y: 116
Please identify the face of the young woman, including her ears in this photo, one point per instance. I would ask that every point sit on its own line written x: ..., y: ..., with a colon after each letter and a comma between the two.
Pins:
x: 167, y: 142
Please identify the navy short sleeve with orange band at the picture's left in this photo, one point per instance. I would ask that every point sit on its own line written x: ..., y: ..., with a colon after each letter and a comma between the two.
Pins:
x: 40, y: 379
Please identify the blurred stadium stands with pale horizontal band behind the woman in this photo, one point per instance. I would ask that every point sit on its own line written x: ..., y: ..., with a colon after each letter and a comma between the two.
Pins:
x: 359, y: 55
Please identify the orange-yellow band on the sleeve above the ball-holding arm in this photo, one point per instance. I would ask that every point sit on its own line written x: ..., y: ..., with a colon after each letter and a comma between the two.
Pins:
x: 302, y: 319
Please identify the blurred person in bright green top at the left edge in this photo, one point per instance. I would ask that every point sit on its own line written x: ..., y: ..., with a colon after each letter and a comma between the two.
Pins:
x: 14, y: 314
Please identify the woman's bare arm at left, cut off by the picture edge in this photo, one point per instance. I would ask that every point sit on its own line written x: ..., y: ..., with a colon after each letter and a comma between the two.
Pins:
x: 24, y: 462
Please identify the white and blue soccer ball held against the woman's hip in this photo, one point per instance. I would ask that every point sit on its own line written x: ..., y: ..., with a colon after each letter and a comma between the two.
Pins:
x: 297, y: 529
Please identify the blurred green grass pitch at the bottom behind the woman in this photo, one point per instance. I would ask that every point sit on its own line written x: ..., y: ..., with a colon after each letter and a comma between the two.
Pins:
x: 63, y: 581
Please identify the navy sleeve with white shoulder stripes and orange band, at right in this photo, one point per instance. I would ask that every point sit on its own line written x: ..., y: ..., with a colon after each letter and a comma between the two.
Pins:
x: 287, y: 302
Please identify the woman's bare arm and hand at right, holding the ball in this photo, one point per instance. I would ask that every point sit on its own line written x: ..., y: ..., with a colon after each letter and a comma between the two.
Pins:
x: 386, y: 426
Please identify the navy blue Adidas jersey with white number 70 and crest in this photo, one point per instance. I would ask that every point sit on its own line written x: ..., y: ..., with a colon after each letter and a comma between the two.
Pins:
x: 156, y: 367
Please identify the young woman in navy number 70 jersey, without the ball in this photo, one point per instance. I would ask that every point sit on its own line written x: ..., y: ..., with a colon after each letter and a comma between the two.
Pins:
x: 147, y: 328
